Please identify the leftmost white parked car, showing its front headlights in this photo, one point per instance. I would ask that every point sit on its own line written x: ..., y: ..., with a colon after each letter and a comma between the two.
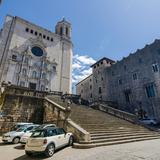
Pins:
x: 14, y: 136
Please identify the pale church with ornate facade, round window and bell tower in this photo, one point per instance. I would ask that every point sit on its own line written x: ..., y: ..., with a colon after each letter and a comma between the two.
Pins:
x: 34, y: 57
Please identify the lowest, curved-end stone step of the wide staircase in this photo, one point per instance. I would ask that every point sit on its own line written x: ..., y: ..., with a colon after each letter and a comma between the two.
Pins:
x: 86, y: 146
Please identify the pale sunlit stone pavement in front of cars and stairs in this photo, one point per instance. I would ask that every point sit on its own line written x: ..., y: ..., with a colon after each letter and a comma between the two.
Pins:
x: 148, y: 150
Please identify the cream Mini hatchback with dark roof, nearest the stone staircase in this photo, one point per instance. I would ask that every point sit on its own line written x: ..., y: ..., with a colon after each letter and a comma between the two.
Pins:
x: 47, y: 141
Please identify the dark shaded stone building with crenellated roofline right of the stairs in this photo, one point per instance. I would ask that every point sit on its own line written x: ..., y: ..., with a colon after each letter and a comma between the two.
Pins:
x: 132, y: 83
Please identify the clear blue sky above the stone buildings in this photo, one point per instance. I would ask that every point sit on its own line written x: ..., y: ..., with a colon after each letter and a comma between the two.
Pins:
x: 101, y: 28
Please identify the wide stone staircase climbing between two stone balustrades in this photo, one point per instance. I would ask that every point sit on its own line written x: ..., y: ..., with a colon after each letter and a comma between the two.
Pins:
x: 104, y: 128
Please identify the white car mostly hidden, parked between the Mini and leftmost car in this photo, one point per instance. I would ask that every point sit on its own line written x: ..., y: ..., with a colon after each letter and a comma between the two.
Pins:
x: 26, y: 135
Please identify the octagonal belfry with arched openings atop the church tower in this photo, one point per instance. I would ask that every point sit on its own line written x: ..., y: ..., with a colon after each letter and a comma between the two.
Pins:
x: 63, y: 28
